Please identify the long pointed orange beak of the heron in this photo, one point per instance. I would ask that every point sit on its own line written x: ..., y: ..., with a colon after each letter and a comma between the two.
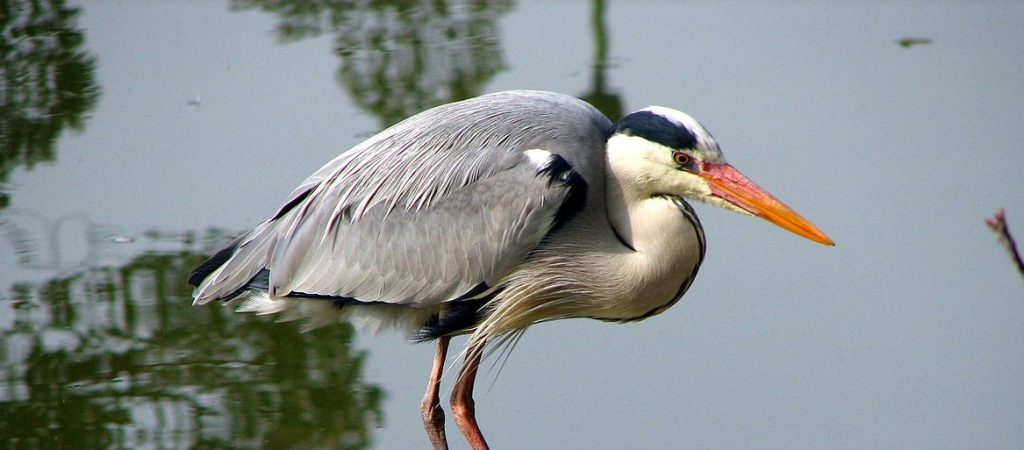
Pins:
x: 728, y: 184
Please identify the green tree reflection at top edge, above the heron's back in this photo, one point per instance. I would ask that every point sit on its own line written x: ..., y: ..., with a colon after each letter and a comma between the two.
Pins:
x: 401, y: 57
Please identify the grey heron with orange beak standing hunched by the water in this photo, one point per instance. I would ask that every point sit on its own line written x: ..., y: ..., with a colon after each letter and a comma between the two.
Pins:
x: 486, y: 217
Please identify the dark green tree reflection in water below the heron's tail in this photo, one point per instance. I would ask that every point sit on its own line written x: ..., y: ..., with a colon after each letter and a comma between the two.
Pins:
x: 117, y: 358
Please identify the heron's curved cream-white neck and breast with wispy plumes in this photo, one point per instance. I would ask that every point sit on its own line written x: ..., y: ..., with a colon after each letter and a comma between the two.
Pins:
x: 634, y: 276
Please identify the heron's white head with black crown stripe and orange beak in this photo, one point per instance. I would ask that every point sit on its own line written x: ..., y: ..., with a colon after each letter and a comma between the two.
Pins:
x: 666, y: 152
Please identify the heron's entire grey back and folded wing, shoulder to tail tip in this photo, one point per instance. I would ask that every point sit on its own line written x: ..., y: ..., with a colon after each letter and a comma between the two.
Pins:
x: 426, y: 211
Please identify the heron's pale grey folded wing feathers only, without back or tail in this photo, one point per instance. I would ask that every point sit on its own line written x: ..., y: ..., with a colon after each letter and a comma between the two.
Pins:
x: 429, y: 254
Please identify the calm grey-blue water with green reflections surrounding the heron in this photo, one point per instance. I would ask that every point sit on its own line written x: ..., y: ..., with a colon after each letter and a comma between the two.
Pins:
x: 138, y: 137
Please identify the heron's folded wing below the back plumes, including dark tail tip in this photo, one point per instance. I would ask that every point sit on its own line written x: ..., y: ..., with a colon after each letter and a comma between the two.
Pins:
x: 425, y: 246
